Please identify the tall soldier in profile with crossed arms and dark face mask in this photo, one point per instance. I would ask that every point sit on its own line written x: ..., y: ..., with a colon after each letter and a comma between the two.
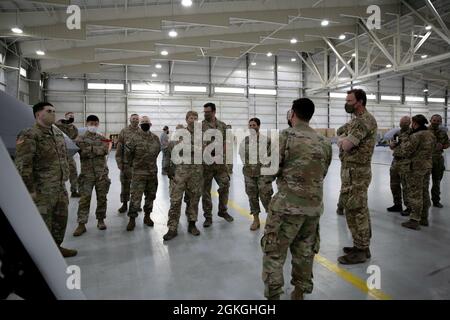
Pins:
x: 356, y: 174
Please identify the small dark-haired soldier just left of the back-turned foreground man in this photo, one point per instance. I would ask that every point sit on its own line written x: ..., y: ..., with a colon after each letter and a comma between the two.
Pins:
x: 257, y: 186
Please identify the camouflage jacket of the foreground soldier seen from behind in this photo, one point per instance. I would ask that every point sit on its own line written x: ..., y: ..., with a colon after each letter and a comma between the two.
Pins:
x: 305, y: 157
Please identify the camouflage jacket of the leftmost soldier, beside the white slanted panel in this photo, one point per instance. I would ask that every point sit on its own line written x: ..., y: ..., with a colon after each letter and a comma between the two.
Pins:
x: 41, y: 159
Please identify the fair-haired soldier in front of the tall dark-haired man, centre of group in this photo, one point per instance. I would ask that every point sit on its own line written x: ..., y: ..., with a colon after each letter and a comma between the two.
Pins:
x: 188, y: 180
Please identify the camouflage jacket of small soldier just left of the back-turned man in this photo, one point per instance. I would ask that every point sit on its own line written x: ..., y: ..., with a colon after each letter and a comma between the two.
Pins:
x: 252, y: 170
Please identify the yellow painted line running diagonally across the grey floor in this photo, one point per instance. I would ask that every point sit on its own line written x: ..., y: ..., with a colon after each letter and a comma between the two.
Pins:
x: 324, y: 262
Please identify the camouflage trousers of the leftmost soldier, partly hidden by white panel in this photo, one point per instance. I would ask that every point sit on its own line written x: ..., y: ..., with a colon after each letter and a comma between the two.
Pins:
x: 54, y: 211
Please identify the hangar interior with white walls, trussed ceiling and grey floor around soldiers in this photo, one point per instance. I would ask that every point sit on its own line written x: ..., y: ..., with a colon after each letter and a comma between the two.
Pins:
x: 252, y: 59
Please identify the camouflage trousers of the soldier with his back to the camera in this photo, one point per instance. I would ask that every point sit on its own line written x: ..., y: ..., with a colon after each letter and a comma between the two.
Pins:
x: 300, y: 234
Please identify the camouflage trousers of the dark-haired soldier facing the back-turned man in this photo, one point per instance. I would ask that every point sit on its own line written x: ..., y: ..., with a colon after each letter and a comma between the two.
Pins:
x: 258, y: 188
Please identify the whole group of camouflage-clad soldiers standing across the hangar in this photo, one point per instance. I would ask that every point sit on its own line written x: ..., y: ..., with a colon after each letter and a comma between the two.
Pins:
x: 293, y: 212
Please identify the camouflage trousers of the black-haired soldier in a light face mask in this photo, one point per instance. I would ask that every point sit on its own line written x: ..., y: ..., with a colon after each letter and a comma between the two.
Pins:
x: 87, y: 185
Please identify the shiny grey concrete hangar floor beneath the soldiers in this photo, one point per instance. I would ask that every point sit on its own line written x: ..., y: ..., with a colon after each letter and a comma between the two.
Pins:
x: 224, y: 262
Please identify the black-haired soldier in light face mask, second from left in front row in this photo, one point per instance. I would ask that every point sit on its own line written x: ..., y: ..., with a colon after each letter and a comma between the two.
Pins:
x: 94, y: 149
